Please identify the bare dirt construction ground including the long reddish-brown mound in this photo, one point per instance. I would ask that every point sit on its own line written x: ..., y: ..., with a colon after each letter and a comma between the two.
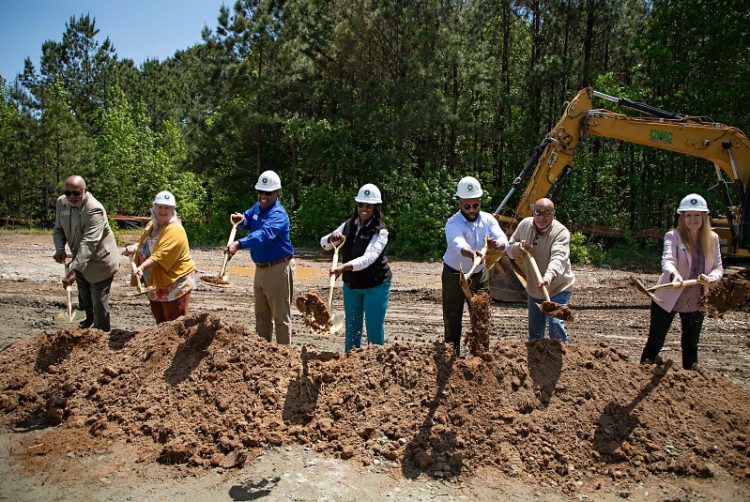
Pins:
x: 141, y: 417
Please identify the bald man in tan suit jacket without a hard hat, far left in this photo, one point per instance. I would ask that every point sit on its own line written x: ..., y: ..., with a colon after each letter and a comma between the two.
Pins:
x: 81, y: 222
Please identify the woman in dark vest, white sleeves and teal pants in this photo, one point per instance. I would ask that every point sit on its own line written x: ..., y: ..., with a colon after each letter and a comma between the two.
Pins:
x: 367, y: 276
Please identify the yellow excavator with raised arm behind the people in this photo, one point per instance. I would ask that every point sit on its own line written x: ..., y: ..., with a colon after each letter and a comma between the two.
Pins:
x: 728, y: 148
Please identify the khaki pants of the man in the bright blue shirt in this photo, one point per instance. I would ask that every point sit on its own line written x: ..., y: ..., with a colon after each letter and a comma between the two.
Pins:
x: 273, y: 288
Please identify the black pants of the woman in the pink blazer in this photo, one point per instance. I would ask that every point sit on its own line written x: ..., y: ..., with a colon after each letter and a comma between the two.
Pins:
x: 661, y: 320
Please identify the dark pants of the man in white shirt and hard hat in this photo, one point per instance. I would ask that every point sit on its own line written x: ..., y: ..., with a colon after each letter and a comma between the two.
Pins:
x: 454, y: 299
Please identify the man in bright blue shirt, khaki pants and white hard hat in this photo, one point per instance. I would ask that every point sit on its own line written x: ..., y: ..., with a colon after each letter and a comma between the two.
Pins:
x: 273, y: 254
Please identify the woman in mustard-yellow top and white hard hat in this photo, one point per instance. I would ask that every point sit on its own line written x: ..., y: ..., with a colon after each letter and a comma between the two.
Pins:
x: 164, y: 262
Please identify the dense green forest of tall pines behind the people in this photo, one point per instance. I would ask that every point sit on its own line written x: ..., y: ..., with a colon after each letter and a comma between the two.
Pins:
x: 411, y: 96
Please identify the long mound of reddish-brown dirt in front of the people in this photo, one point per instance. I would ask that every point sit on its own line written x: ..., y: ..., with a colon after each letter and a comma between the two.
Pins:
x: 202, y: 392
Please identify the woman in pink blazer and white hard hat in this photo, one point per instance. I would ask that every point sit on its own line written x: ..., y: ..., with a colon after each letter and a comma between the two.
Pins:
x: 691, y: 251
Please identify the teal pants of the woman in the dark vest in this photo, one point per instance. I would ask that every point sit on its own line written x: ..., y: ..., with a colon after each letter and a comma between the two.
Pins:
x: 369, y: 304
